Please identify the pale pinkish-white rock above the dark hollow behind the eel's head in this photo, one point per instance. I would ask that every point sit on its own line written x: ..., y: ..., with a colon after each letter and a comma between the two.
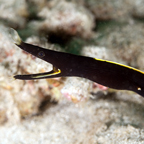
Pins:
x: 66, y: 19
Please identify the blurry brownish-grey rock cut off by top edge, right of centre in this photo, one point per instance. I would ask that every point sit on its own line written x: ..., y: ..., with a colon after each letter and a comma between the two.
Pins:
x: 104, y: 10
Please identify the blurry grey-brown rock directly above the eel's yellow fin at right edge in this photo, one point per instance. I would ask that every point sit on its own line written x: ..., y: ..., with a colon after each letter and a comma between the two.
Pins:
x: 124, y: 42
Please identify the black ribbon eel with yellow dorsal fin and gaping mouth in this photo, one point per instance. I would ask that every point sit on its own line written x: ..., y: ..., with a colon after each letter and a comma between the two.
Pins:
x: 107, y: 73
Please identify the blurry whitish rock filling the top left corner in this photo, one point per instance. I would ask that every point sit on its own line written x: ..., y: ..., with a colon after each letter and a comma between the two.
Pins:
x: 13, y: 13
